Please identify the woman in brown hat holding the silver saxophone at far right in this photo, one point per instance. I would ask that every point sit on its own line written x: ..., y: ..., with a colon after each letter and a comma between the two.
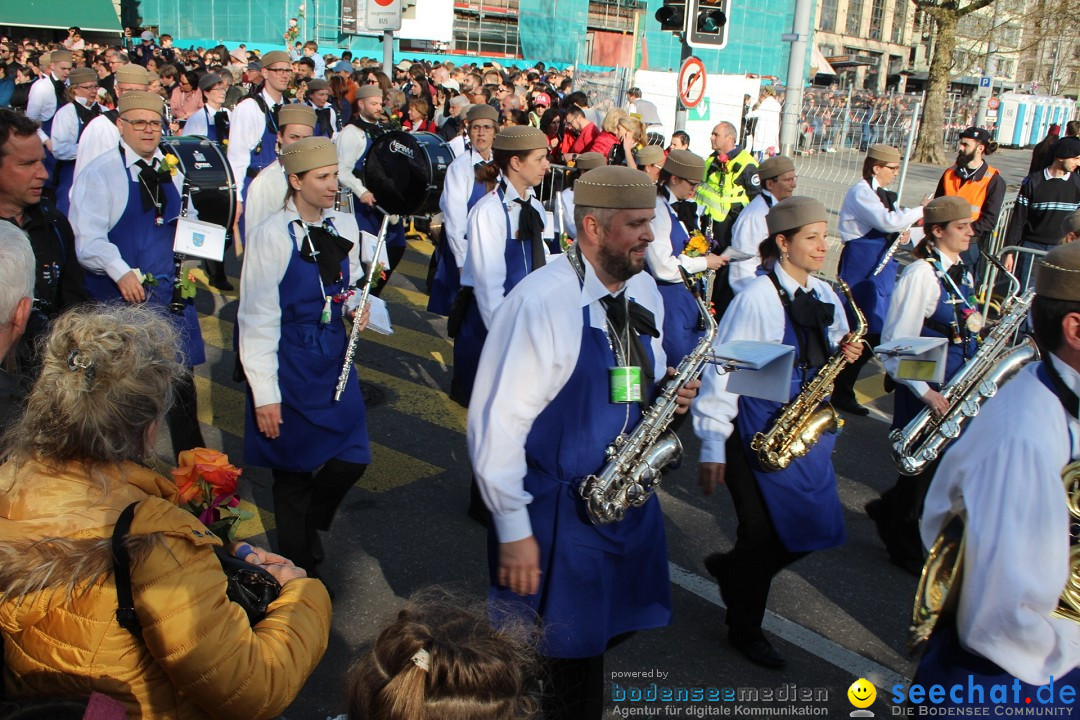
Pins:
x: 934, y: 298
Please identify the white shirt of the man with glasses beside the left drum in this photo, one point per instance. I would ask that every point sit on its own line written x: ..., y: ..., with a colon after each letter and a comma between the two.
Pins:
x: 99, y: 200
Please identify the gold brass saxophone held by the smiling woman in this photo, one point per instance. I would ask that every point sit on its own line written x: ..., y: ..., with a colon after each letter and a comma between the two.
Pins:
x: 803, y: 422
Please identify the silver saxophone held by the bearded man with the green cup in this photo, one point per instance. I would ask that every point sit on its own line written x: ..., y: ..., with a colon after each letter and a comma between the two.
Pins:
x: 636, y: 461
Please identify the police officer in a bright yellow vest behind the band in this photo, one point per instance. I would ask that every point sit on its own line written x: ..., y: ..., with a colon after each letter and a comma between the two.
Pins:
x: 731, y: 184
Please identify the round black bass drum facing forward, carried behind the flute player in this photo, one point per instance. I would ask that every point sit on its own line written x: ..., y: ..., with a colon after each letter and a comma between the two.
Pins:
x: 406, y: 172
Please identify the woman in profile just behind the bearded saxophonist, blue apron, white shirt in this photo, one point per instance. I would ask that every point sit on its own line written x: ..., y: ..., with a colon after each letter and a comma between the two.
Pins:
x: 666, y: 256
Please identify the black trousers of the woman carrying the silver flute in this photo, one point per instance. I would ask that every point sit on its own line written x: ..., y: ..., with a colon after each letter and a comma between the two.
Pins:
x: 307, y: 502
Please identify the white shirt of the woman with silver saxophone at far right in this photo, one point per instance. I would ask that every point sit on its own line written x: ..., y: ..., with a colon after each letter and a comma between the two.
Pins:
x: 914, y: 300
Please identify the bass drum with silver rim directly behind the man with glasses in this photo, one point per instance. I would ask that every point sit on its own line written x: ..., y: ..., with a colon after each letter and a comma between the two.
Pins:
x: 208, y: 178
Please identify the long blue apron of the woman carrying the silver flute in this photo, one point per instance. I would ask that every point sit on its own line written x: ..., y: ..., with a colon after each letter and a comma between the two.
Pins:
x: 310, y: 356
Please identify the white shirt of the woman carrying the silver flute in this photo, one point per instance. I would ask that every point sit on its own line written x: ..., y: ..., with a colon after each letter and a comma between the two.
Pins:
x: 268, y: 253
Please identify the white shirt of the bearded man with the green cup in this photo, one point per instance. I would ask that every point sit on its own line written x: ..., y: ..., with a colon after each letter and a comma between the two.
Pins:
x: 532, y: 349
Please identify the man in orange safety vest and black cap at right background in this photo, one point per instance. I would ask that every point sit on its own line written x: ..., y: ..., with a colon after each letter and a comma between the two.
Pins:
x: 980, y: 185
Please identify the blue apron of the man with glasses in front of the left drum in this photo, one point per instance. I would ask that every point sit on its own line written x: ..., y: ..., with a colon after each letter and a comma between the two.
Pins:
x: 150, y: 248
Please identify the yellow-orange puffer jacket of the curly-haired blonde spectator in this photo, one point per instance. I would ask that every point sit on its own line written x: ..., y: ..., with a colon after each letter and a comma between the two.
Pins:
x: 198, y: 658
